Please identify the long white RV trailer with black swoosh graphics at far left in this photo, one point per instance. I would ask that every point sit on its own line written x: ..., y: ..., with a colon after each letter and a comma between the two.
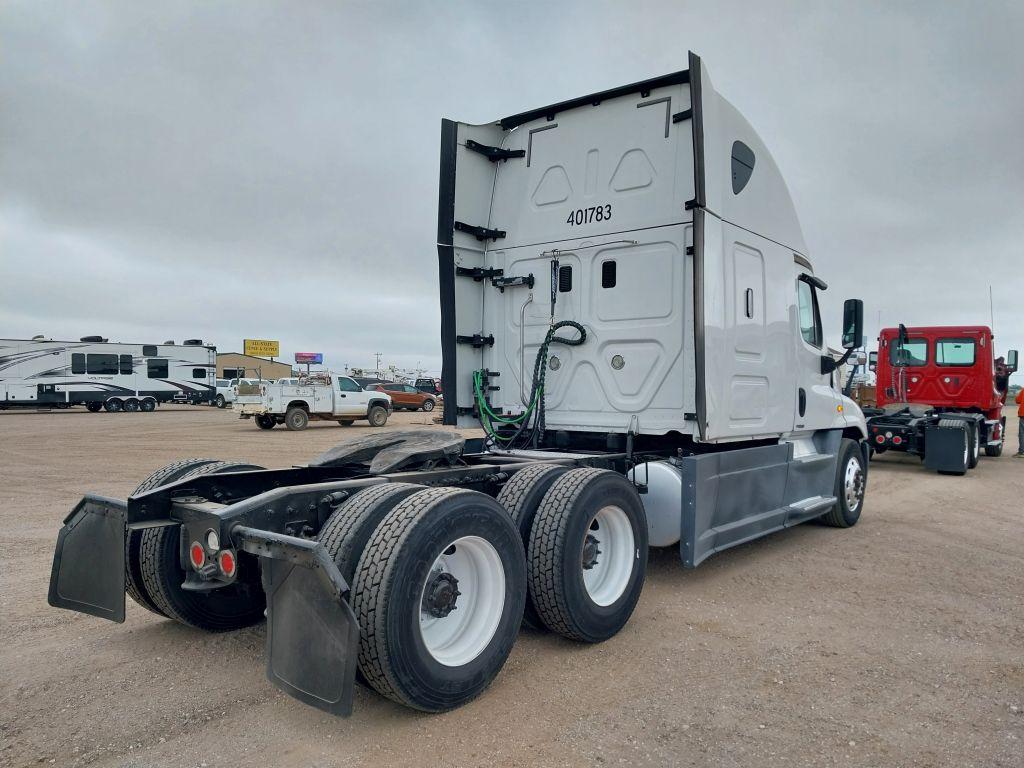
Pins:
x: 105, y: 375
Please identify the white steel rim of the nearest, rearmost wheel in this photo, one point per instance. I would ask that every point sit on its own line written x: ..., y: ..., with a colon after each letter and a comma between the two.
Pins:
x: 462, y: 602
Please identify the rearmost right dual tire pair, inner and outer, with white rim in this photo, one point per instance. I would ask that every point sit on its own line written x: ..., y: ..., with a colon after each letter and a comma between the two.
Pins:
x: 439, y: 590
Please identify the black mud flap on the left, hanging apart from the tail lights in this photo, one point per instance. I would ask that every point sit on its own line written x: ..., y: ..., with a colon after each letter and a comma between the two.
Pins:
x: 89, y: 573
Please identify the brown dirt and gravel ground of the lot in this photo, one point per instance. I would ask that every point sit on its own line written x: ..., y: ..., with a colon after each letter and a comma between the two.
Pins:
x: 900, y: 643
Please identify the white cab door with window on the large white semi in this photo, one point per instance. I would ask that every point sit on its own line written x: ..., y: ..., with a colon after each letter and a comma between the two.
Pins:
x: 817, y: 400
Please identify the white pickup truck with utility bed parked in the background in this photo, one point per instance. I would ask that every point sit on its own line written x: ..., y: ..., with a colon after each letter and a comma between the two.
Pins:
x: 323, y: 396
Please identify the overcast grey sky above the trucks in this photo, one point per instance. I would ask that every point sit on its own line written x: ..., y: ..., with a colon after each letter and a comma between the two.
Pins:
x: 243, y: 169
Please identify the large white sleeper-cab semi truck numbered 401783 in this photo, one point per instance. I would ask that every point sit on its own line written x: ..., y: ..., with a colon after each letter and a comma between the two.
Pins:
x: 631, y: 314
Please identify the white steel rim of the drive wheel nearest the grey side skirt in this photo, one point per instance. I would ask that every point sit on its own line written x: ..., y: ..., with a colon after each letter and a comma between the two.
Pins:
x: 608, y: 558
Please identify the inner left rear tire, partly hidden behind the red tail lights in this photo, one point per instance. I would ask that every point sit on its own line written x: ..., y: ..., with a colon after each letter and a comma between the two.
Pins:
x: 221, y: 610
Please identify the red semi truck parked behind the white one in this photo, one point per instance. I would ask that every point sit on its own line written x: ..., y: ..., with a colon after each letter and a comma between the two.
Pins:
x: 941, y: 395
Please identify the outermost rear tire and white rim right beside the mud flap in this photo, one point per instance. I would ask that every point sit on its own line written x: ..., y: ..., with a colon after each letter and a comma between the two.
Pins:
x: 390, y: 589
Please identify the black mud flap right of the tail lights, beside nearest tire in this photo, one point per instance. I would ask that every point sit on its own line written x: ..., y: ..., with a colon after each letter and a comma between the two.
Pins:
x: 313, y: 638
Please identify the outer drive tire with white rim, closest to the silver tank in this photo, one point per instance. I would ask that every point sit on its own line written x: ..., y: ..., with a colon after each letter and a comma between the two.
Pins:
x: 562, y: 529
